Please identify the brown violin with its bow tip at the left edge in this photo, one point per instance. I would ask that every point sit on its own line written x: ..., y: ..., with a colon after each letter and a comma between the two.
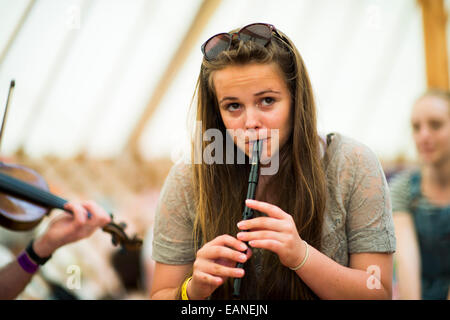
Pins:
x: 25, y: 200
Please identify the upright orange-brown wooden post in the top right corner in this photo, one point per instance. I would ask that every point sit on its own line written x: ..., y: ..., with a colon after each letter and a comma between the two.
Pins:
x: 434, y: 19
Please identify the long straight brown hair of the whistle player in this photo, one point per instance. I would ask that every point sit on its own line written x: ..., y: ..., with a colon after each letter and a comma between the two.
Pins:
x: 299, y: 186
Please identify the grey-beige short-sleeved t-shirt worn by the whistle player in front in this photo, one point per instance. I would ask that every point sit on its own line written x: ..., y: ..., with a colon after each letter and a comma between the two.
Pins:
x: 357, y: 218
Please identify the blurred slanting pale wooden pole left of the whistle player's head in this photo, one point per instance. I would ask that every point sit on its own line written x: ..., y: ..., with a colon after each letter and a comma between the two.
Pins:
x: 202, y: 17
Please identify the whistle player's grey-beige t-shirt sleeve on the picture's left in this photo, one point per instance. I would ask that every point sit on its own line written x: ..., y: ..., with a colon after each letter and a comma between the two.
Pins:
x: 172, y: 232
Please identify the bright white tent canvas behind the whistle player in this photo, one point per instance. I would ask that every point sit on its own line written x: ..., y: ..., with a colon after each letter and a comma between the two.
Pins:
x: 85, y: 70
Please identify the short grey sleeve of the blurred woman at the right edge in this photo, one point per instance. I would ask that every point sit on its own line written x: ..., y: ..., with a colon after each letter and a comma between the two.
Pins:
x: 400, y: 192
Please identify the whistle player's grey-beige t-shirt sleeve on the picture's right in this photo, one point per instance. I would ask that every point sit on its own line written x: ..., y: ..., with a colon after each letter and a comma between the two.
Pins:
x: 369, y: 223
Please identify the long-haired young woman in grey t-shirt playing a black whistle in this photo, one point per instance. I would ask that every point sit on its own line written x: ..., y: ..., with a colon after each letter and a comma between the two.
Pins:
x: 324, y: 228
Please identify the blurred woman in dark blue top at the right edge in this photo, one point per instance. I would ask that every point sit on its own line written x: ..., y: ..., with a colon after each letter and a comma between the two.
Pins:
x: 421, y: 204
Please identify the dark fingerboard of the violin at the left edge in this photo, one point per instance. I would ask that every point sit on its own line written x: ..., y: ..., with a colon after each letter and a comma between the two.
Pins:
x: 29, y: 192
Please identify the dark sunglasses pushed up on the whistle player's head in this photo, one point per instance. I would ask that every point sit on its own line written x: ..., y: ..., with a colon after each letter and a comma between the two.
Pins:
x: 260, y: 33
